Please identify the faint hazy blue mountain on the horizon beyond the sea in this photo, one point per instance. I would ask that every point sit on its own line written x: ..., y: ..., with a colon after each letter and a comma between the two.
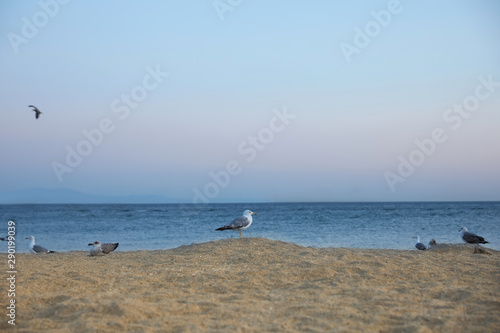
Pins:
x: 66, y: 196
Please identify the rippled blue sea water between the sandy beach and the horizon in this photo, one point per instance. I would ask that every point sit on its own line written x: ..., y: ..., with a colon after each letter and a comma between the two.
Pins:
x: 164, y: 226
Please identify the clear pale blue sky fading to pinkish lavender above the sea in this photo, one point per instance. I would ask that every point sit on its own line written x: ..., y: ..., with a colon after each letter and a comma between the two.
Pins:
x: 252, y: 101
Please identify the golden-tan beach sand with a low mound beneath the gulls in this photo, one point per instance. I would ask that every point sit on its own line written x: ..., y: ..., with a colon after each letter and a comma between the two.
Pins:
x: 256, y: 285
